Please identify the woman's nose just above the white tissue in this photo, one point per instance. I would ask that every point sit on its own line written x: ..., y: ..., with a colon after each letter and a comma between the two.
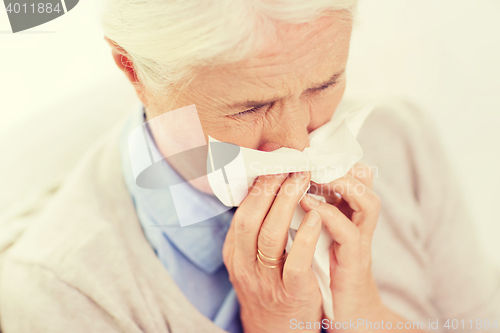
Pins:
x: 287, y: 127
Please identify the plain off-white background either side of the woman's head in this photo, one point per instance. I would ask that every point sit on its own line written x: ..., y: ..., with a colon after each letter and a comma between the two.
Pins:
x: 443, y: 54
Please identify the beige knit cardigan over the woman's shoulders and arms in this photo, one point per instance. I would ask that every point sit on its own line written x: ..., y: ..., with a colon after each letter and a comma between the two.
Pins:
x: 84, y: 265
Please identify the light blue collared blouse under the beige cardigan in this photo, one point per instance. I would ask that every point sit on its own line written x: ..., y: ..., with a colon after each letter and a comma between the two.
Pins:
x: 193, y: 254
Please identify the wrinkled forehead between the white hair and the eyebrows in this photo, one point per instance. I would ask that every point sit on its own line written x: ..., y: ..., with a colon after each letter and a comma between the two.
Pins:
x: 295, y: 56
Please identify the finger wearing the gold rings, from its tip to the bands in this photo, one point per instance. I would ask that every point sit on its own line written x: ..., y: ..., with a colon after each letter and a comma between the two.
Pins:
x: 273, y: 233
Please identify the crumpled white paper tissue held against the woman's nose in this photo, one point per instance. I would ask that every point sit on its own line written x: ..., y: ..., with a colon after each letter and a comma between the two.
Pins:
x: 332, y: 153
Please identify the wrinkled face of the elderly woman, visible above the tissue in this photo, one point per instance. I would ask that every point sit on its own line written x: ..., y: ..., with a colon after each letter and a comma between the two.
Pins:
x: 277, y: 98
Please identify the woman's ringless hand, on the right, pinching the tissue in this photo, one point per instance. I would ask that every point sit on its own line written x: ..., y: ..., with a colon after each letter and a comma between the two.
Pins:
x: 351, y: 221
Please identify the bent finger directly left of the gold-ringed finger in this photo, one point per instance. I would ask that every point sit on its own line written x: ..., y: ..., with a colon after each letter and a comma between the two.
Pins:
x: 248, y: 217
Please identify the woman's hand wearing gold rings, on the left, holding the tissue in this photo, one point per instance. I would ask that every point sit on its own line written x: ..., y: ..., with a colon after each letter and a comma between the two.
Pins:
x: 274, y: 295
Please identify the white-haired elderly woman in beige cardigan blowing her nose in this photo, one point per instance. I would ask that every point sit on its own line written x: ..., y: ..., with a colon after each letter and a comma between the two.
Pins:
x: 107, y: 255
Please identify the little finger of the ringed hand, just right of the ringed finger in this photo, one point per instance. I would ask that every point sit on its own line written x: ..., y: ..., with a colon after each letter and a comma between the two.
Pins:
x: 297, y: 271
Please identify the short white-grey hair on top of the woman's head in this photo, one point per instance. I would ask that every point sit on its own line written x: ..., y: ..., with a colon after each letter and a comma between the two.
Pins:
x: 167, y: 39
